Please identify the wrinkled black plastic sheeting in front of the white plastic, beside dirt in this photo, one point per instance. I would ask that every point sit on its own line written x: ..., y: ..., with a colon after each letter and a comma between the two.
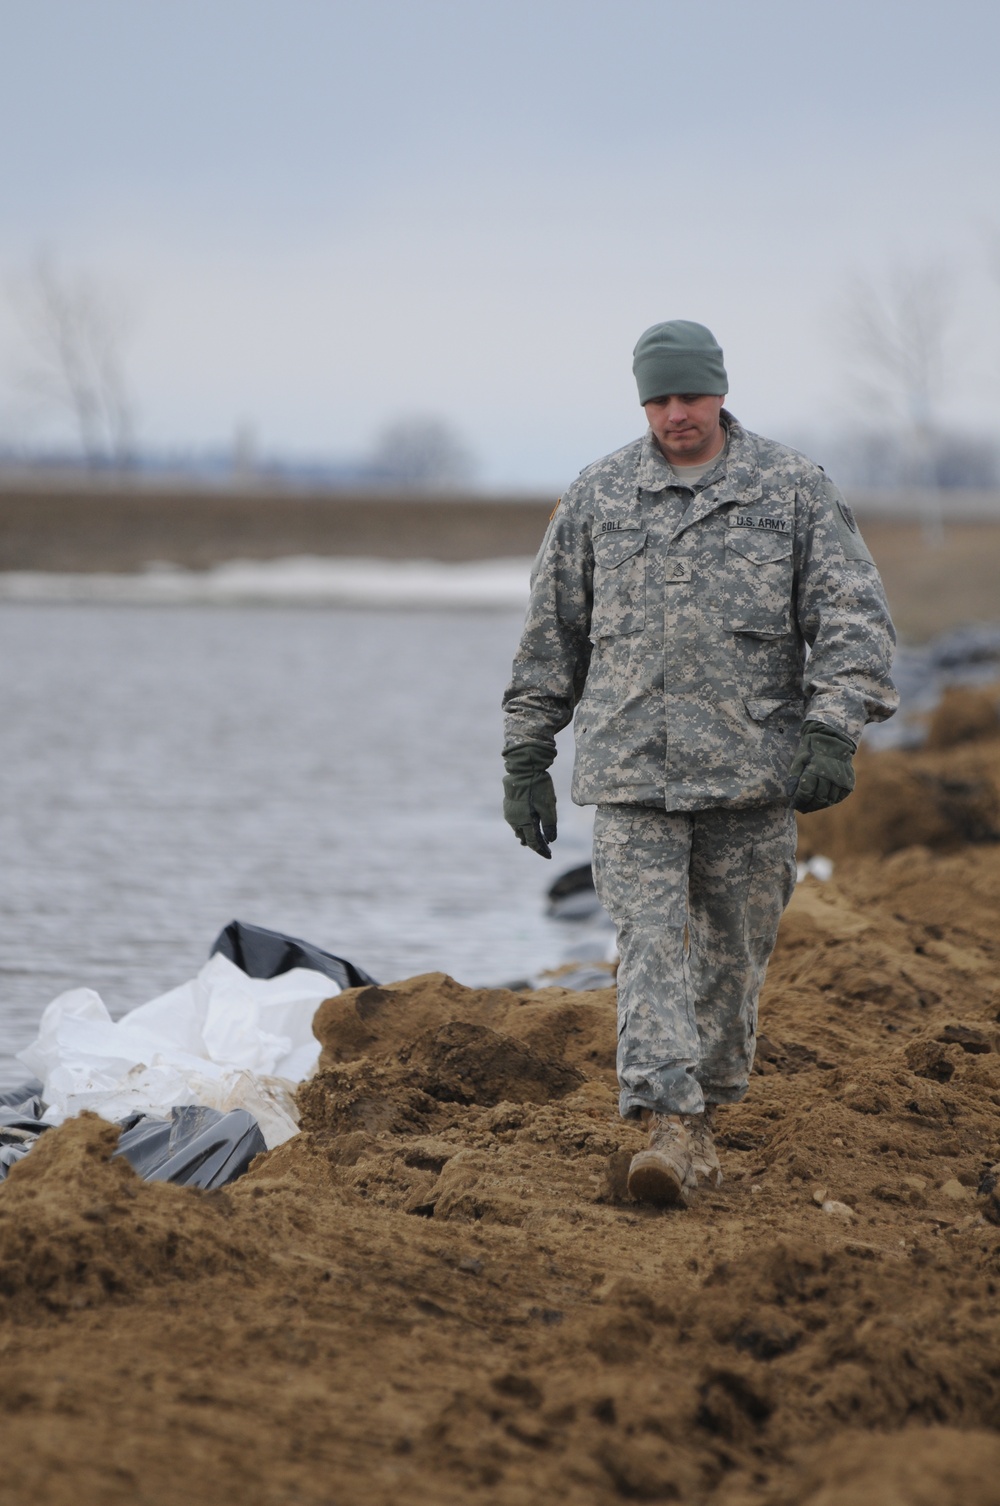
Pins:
x: 197, y: 1147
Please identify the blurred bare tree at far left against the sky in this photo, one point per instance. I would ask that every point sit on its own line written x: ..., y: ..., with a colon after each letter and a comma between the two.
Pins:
x: 75, y: 329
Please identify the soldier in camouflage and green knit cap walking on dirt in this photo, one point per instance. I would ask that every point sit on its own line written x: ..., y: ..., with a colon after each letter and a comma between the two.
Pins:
x: 707, y: 608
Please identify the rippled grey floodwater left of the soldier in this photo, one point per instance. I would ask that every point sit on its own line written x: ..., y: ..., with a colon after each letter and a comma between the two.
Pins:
x: 323, y: 772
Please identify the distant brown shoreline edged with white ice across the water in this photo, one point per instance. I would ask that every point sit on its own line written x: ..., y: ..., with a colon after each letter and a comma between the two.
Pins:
x: 73, y: 531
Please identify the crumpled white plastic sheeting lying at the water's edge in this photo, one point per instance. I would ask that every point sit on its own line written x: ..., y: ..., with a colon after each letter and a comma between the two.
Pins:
x: 222, y: 1040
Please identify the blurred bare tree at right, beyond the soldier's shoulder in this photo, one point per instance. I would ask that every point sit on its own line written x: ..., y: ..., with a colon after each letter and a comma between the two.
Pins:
x: 897, y: 334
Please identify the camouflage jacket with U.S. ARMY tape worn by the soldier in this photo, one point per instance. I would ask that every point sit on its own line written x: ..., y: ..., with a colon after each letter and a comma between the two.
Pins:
x: 695, y: 632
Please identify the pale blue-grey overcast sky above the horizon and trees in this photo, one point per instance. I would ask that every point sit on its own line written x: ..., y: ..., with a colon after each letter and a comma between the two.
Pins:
x: 325, y: 215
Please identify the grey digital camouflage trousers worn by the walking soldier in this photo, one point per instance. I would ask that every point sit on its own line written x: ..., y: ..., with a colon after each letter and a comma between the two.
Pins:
x: 697, y: 898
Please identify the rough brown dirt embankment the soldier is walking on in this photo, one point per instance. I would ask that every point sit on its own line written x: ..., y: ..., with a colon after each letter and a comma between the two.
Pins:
x: 441, y: 1293
